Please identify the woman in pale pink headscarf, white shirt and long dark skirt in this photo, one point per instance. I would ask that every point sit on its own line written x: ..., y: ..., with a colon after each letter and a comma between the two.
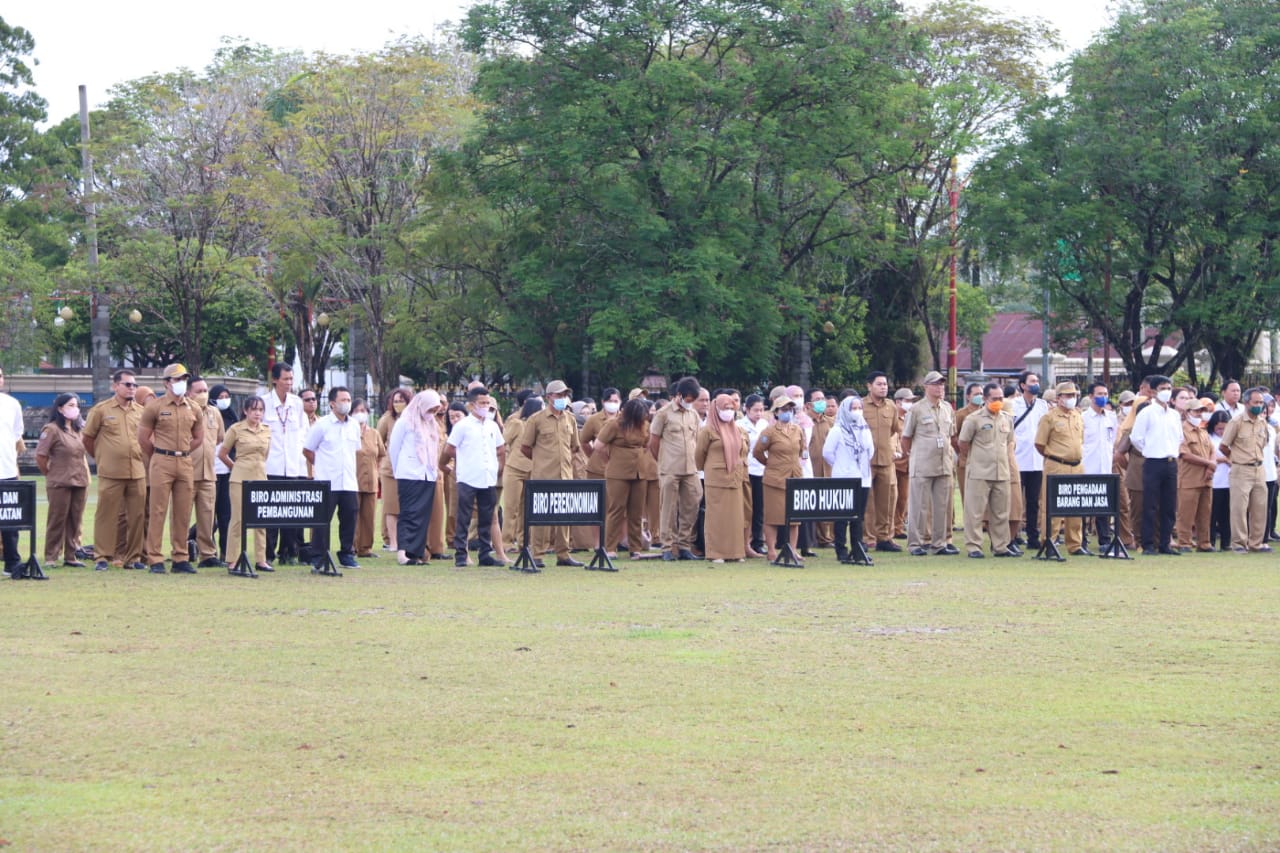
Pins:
x: 415, y: 451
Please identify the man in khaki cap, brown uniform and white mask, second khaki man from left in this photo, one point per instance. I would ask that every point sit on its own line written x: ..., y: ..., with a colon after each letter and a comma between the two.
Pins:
x: 171, y: 432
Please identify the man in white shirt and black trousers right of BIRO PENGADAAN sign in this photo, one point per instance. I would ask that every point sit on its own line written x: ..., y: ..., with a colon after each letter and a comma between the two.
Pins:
x: 1158, y: 434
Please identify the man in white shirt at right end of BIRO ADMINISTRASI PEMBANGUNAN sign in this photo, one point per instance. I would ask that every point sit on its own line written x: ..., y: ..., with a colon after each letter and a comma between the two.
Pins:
x: 331, y: 448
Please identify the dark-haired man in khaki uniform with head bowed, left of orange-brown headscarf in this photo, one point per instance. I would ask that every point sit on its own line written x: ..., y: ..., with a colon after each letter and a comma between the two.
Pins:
x: 673, y: 440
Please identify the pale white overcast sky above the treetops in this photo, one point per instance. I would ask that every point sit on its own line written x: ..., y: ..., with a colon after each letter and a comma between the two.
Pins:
x: 104, y: 44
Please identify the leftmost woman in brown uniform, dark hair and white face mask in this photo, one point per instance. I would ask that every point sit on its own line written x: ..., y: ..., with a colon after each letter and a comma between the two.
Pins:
x: 61, y: 458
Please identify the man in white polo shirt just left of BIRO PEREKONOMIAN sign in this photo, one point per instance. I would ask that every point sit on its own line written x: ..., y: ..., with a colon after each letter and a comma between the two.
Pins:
x: 478, y: 445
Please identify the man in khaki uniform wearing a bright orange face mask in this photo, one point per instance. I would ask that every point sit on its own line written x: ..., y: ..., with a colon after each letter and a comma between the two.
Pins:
x: 986, y: 445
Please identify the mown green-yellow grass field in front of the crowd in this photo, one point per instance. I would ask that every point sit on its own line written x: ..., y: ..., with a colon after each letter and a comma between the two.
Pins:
x: 935, y: 704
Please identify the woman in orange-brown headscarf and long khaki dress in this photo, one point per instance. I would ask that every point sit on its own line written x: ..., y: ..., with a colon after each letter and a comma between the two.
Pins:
x: 721, y: 455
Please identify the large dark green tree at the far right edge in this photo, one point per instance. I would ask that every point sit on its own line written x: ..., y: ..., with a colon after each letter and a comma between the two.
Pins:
x: 1165, y: 174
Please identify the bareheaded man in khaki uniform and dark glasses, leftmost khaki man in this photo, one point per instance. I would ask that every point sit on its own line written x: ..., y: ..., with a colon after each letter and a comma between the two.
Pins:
x: 112, y: 439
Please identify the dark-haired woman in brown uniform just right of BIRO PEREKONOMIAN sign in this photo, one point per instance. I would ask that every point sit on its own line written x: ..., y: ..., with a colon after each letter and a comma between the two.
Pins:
x: 621, y: 448
